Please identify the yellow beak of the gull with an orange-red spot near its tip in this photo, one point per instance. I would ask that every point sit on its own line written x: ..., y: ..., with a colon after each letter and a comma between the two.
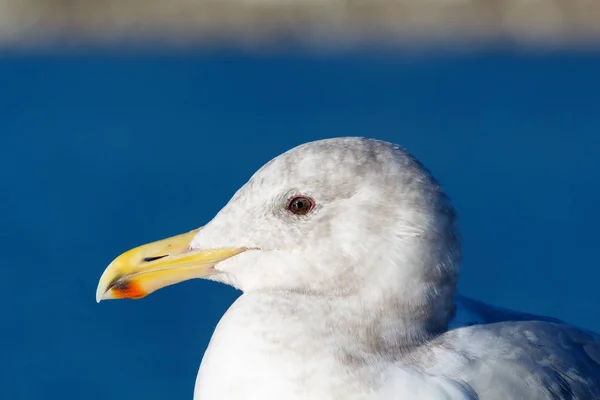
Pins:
x: 145, y: 269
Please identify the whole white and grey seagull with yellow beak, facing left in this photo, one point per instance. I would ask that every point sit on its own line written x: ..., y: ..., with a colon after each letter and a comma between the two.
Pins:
x: 347, y: 253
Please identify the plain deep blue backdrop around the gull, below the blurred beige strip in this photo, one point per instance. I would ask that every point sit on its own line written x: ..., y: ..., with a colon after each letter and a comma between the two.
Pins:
x: 101, y: 153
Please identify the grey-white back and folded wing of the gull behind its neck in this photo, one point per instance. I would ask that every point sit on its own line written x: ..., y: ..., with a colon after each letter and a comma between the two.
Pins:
x: 506, y: 355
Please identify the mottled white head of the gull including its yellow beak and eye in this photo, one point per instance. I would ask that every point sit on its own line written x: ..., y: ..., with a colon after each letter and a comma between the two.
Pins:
x: 336, y: 217
